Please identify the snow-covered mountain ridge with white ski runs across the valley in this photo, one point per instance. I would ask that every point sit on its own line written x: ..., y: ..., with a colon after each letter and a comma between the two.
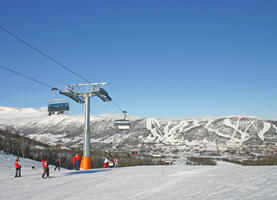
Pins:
x: 145, y: 134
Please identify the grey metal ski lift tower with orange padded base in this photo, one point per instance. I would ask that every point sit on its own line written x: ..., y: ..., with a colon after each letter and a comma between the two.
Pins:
x: 81, y: 93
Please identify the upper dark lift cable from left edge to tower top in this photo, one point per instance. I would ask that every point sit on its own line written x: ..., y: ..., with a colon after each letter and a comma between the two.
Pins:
x: 42, y: 53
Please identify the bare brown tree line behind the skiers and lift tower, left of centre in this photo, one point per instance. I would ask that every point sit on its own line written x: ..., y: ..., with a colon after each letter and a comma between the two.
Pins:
x: 21, y: 146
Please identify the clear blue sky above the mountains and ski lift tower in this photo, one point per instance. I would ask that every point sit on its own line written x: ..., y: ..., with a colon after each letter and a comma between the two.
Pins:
x: 173, y: 58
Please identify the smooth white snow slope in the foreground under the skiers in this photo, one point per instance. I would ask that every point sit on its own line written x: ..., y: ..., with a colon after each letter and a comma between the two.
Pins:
x: 224, y: 181
